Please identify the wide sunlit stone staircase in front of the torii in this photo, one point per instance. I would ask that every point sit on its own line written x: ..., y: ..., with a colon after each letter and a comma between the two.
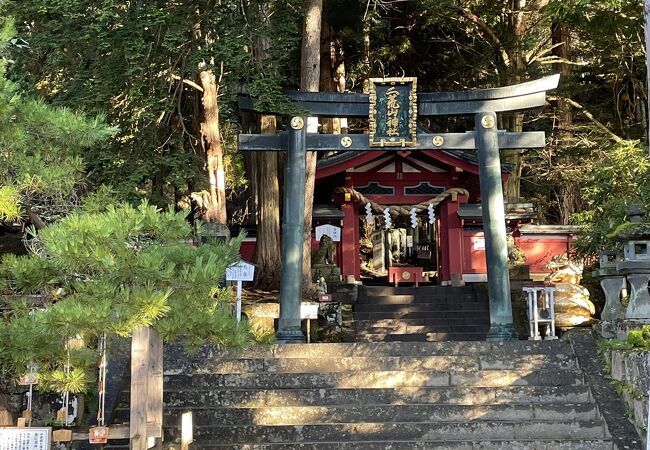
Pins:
x: 398, y: 395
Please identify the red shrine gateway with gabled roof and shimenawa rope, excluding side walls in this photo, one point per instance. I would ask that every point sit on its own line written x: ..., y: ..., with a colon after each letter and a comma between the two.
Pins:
x: 438, y: 184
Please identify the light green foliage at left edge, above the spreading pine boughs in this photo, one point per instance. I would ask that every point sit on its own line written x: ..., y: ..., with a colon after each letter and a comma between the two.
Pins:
x: 39, y: 160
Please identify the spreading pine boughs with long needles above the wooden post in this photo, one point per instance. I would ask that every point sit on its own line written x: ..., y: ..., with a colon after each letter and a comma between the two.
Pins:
x: 112, y: 272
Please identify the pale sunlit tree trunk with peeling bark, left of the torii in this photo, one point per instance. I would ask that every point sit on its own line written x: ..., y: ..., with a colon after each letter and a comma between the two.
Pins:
x: 215, y: 210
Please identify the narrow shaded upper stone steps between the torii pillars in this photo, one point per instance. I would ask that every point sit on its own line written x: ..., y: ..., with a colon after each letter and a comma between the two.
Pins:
x: 428, y: 313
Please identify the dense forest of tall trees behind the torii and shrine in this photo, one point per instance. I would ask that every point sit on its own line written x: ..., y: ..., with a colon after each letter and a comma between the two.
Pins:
x: 166, y: 74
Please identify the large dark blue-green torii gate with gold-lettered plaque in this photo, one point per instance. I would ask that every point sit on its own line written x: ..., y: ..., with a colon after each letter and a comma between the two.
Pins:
x: 393, y: 126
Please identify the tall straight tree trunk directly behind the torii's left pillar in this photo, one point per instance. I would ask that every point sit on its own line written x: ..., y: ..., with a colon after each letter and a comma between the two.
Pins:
x: 309, y: 80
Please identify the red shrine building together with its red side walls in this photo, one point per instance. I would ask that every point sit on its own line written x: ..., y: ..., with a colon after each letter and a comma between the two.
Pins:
x: 452, y: 248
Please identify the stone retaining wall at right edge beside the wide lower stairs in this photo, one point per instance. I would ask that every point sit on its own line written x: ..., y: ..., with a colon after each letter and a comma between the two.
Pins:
x: 630, y: 373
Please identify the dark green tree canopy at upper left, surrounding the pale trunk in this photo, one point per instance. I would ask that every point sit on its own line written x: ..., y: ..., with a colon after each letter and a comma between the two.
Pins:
x: 138, y: 63
